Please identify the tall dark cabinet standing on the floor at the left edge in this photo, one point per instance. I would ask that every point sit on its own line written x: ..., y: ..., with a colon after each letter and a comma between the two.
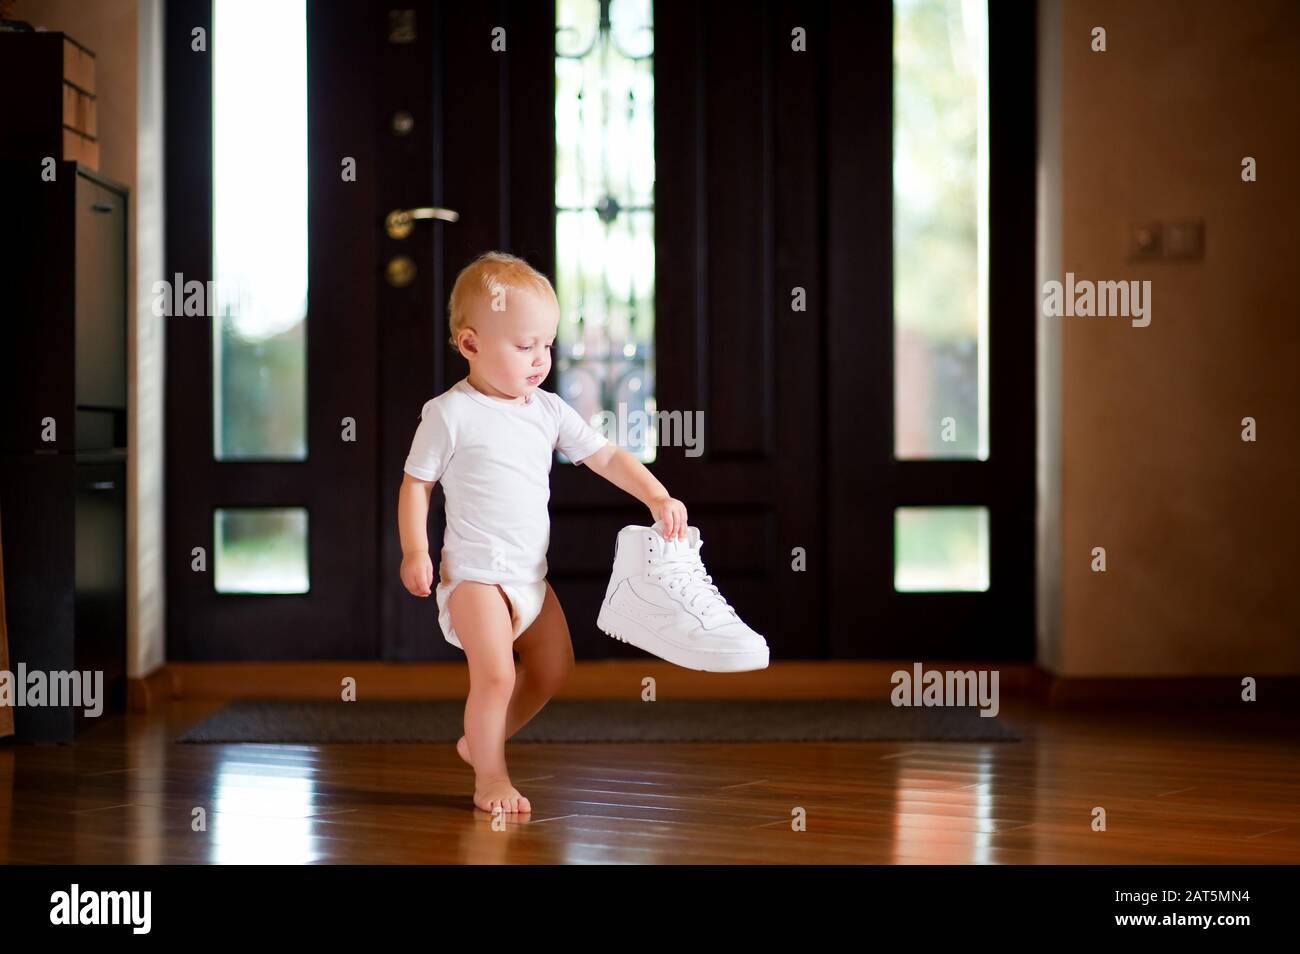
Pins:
x: 63, y: 444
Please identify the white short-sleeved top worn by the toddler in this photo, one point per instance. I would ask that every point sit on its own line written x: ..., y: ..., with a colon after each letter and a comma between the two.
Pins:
x: 495, y: 461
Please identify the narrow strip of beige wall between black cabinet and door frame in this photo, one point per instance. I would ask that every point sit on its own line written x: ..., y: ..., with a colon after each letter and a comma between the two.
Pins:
x: 127, y: 40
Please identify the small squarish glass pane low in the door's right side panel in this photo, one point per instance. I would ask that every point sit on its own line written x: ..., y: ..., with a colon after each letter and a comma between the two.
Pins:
x: 941, y: 549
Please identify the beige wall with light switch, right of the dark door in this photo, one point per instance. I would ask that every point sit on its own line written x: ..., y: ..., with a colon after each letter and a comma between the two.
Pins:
x: 1201, y: 528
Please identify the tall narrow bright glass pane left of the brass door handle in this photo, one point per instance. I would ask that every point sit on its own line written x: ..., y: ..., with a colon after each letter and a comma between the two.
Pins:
x: 259, y: 229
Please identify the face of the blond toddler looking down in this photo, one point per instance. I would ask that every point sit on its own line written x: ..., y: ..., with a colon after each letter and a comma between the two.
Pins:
x: 510, y: 350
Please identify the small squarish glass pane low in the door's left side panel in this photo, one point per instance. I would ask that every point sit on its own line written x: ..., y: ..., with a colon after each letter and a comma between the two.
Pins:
x: 261, y: 550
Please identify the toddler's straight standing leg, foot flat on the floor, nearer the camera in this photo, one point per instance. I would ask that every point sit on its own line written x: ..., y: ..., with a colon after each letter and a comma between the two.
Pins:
x: 482, y: 619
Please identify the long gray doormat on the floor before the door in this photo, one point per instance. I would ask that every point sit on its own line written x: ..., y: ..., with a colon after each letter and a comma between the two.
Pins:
x: 603, y: 721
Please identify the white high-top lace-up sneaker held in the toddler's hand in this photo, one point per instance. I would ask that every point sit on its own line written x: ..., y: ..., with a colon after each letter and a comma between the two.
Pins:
x: 662, y: 601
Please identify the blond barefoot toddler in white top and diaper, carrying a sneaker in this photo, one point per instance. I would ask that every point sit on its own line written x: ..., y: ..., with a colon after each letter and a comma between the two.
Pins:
x: 491, y: 441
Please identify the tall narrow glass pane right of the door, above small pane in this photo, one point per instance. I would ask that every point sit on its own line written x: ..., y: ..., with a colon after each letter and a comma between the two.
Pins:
x: 941, y: 242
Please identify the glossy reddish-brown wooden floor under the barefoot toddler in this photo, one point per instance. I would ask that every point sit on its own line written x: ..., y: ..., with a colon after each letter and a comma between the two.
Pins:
x: 1177, y: 790
